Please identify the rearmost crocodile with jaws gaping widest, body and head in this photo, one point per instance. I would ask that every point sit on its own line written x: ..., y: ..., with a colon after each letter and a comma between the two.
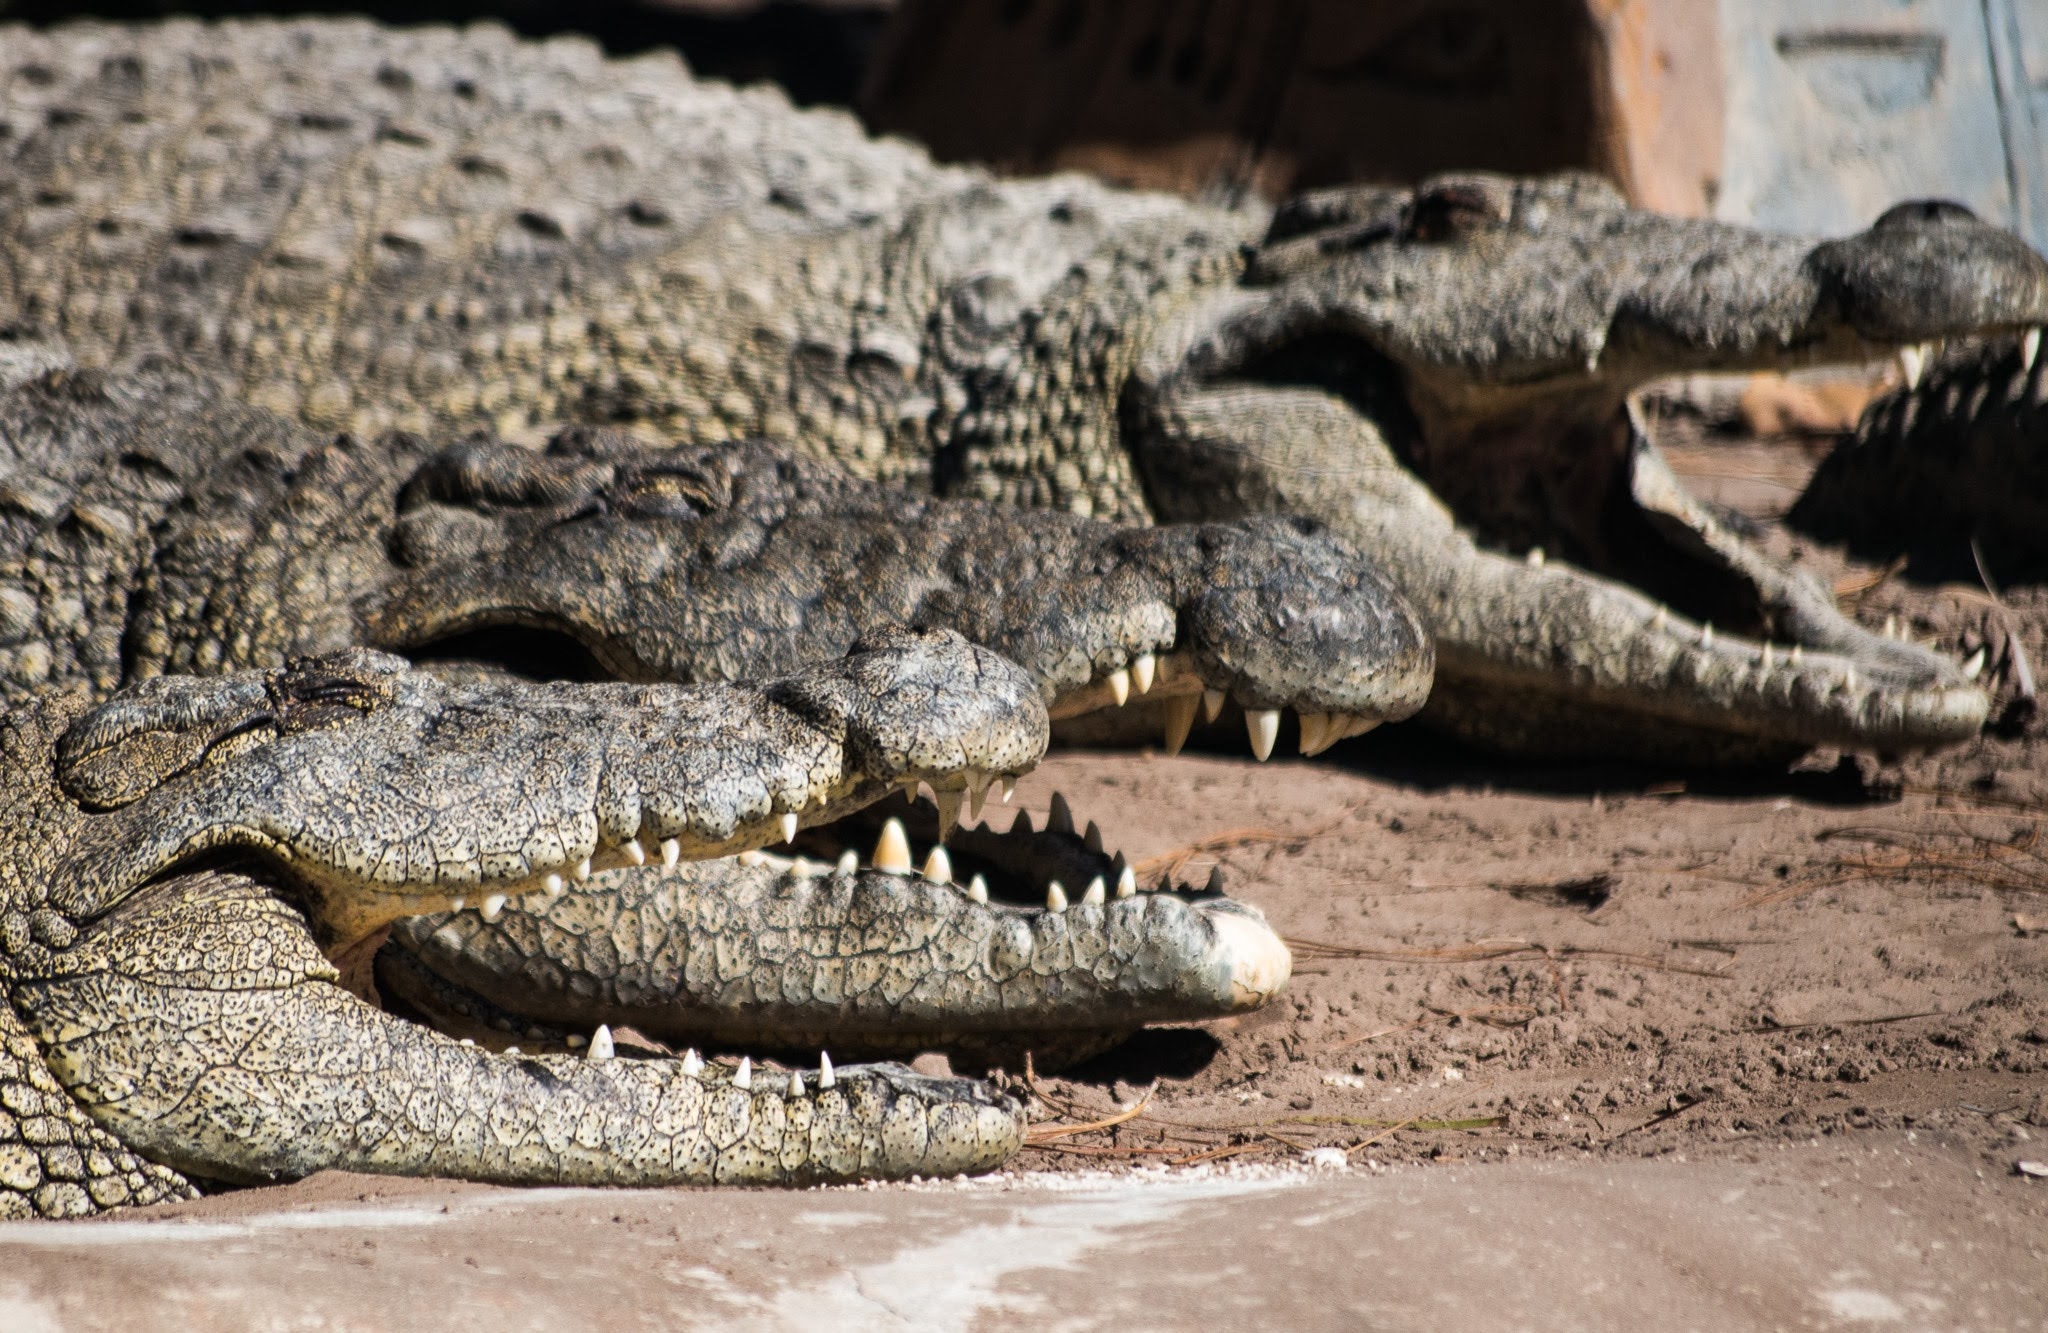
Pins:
x: 452, y: 230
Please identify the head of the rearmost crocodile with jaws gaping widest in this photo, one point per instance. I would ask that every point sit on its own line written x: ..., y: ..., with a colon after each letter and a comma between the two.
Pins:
x: 1447, y: 378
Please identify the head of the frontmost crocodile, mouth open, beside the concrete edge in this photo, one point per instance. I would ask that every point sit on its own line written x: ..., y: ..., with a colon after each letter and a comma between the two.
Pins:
x: 198, y: 855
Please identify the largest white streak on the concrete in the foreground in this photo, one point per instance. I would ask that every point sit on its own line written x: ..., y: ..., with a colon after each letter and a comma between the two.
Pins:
x: 949, y: 1281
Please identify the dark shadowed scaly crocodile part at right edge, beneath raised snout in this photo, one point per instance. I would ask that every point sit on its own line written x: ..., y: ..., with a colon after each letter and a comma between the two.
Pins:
x: 1955, y: 456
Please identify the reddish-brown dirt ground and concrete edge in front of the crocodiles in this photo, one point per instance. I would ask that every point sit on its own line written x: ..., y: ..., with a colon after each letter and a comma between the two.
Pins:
x: 1582, y: 1045
